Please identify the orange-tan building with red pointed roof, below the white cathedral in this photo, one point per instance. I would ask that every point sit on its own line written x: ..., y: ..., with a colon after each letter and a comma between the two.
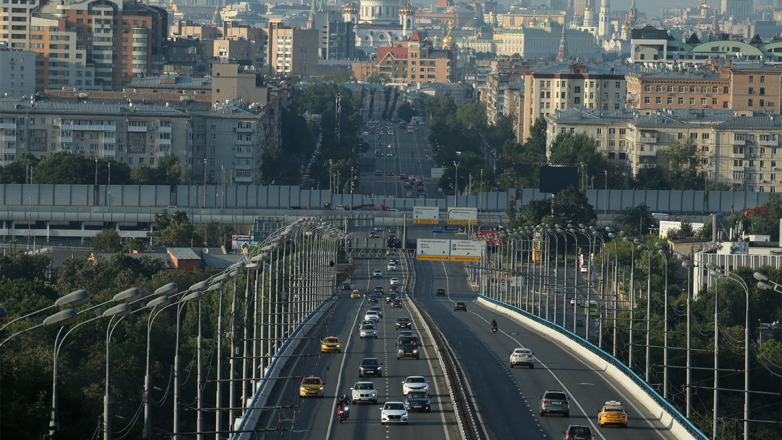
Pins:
x: 413, y: 61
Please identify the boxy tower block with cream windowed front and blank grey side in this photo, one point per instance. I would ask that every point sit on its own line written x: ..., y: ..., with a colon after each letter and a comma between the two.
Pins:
x: 293, y: 51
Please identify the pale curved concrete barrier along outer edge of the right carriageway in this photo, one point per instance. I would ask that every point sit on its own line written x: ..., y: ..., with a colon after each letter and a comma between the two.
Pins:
x: 619, y: 373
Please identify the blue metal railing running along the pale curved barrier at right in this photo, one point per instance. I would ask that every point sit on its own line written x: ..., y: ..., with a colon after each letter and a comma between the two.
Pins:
x: 656, y: 397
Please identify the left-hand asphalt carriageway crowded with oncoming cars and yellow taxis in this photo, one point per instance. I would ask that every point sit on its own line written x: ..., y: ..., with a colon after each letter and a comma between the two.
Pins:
x: 315, y: 419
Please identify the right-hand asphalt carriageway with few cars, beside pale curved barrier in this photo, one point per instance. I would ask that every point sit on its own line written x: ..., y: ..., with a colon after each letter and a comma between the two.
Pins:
x: 503, y: 394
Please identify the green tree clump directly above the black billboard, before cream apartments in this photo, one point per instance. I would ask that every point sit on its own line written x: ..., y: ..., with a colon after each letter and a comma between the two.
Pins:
x: 578, y: 149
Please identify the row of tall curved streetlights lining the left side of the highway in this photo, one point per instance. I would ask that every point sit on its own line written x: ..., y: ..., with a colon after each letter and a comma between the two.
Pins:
x: 310, y: 247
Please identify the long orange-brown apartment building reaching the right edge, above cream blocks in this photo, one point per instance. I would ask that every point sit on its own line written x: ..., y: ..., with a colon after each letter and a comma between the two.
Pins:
x: 747, y: 87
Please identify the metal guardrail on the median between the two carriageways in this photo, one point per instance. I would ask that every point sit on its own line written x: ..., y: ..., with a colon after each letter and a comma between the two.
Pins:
x: 453, y: 374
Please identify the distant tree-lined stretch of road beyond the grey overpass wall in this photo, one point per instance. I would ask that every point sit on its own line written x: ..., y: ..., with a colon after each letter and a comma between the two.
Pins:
x: 409, y: 157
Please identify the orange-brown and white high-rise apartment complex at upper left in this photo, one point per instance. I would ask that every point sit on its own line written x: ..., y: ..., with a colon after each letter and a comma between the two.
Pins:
x: 96, y: 44
